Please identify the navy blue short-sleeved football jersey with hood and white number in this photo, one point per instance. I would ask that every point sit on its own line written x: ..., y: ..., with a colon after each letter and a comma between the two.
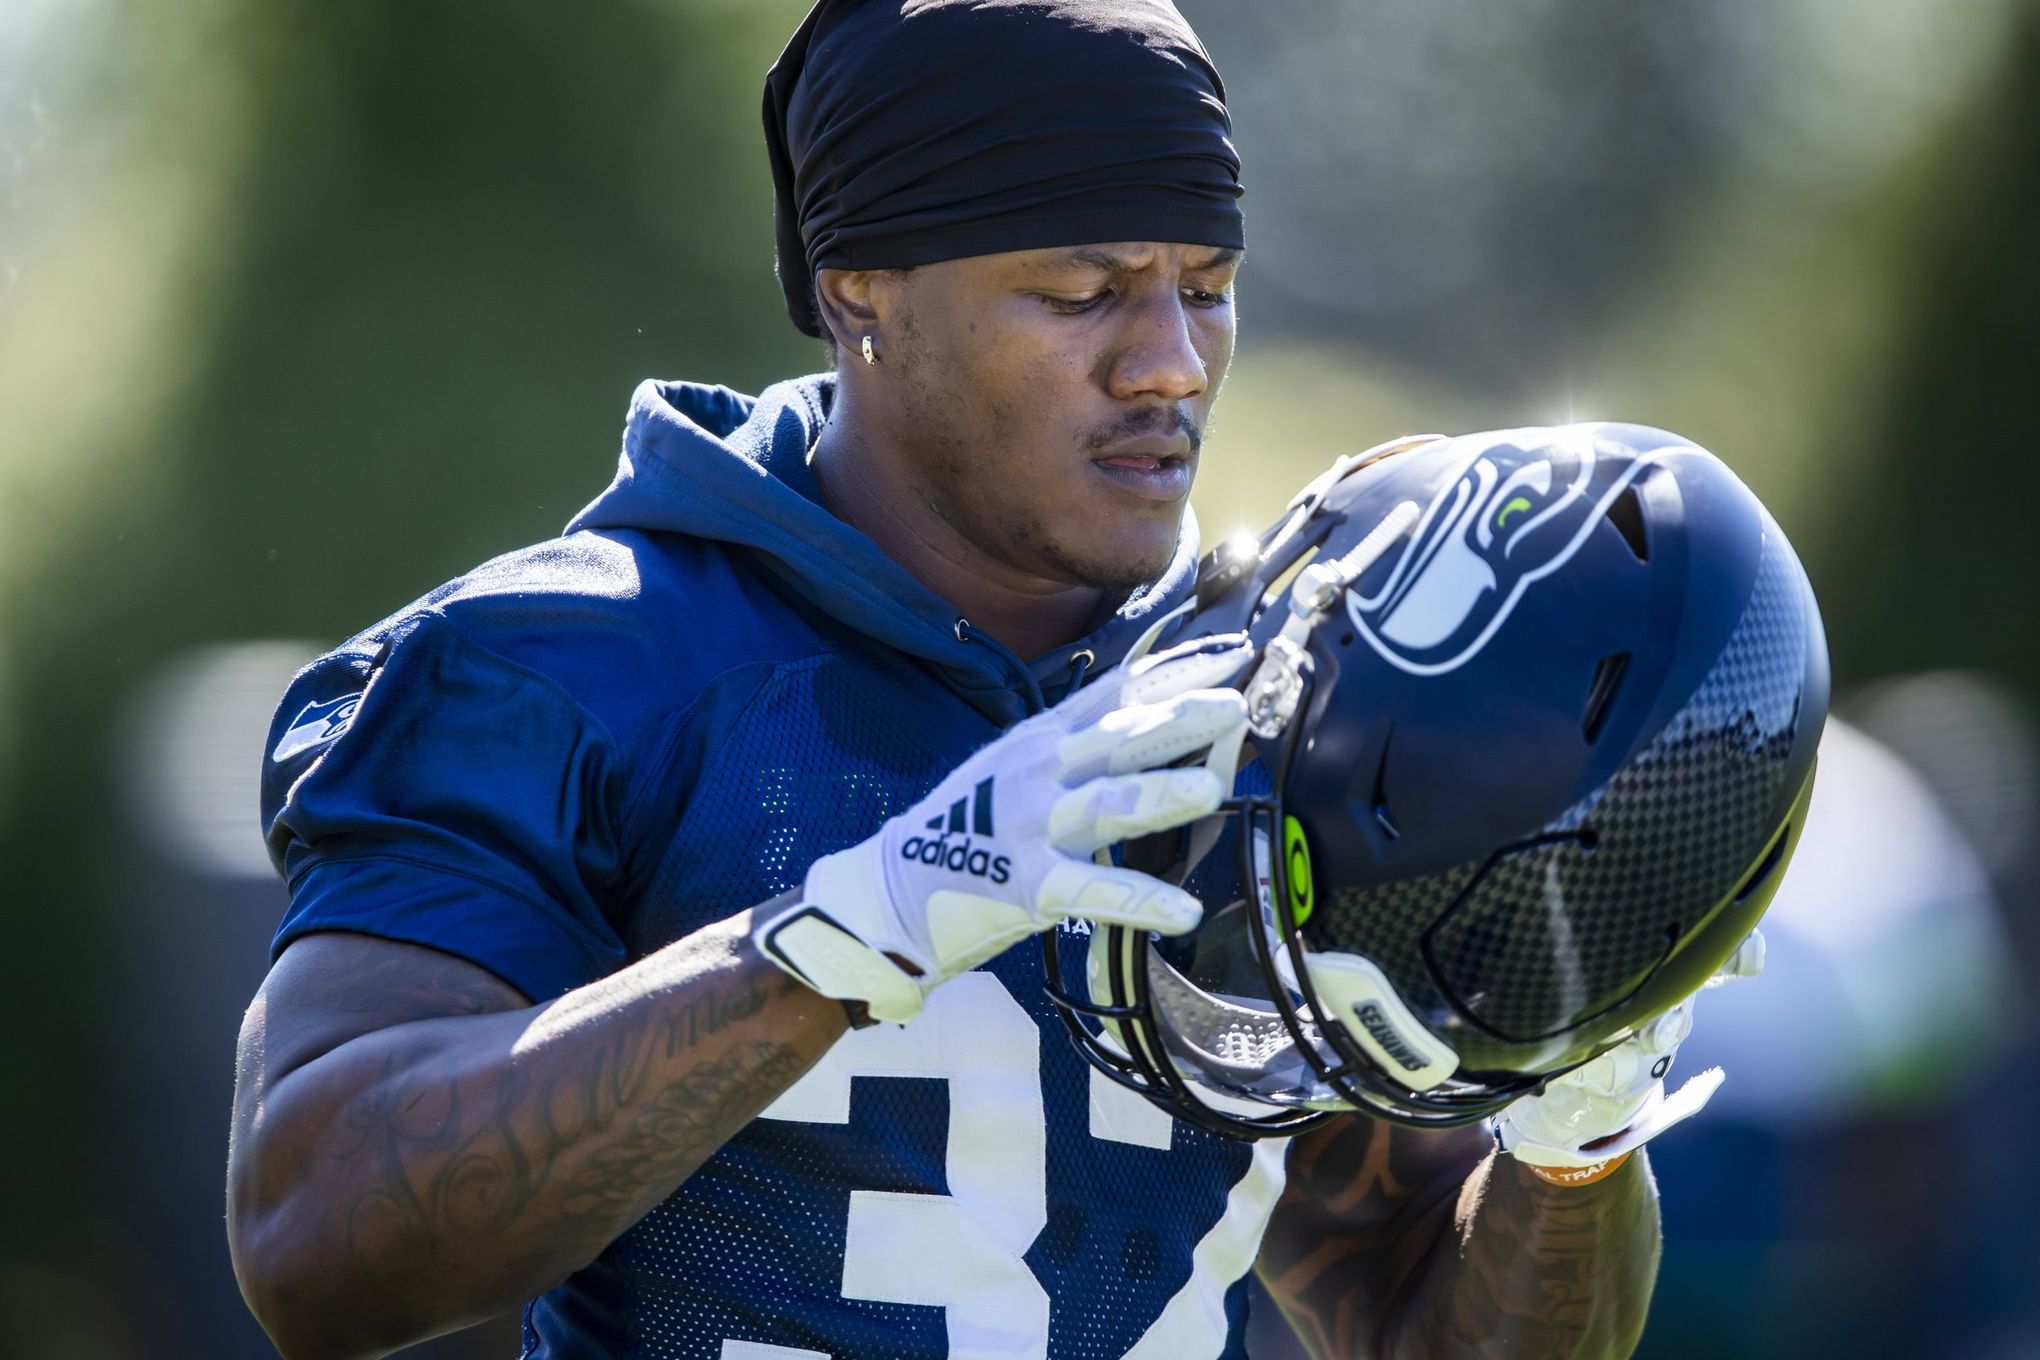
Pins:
x: 591, y: 749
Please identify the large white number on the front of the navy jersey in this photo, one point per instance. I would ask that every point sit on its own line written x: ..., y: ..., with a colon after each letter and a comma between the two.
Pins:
x: 966, y: 1251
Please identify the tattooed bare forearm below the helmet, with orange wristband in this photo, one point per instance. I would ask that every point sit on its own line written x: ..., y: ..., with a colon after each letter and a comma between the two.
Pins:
x: 1405, y: 1245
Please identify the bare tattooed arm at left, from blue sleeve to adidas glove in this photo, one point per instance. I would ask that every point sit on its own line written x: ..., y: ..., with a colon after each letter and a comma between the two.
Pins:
x: 415, y: 1147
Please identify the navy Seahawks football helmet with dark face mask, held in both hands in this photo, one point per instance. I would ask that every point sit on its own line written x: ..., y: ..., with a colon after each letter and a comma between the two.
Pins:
x: 1533, y: 717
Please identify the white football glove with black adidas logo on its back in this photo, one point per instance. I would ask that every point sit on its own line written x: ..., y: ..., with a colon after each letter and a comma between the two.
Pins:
x: 1003, y: 847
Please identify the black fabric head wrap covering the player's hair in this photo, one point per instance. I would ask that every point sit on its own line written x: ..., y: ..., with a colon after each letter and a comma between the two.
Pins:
x: 911, y: 132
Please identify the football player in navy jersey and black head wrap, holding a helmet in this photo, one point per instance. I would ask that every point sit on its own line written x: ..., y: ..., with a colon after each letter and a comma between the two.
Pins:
x: 656, y: 892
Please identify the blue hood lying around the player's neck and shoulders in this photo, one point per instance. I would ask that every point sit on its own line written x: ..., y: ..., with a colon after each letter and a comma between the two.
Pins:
x: 729, y: 468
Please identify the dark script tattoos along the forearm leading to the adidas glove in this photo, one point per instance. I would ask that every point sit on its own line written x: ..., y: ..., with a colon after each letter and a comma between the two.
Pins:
x: 572, y: 1141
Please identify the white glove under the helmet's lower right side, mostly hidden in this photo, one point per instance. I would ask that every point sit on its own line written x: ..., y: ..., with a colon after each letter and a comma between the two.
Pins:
x: 1617, y: 1102
